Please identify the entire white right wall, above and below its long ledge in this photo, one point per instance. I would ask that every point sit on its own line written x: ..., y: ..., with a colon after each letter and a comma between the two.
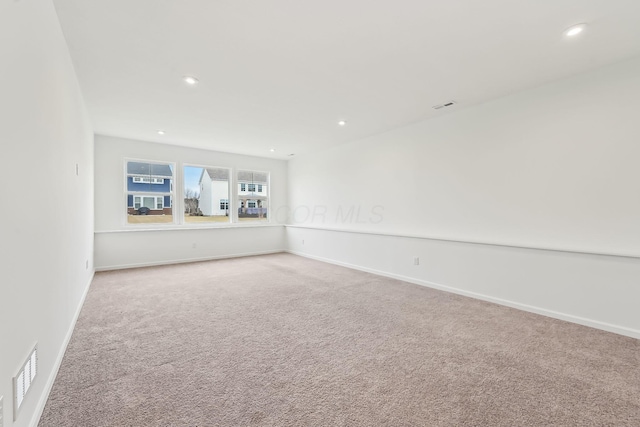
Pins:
x: 554, y: 167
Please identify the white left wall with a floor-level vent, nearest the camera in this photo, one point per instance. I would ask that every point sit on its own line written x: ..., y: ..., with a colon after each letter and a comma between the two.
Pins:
x: 47, y: 211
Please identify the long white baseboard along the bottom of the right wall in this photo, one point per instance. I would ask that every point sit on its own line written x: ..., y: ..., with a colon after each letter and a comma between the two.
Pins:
x: 621, y: 330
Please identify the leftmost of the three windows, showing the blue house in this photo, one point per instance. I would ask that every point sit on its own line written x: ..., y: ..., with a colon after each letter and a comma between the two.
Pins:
x: 149, y: 189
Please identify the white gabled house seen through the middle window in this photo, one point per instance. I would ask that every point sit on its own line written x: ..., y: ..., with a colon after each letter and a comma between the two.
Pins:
x: 214, y: 192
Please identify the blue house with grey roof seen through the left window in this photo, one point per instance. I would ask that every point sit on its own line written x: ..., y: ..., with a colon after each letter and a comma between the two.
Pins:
x: 149, y: 186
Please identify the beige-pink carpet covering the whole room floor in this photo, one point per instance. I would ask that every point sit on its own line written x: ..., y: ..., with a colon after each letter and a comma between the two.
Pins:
x: 281, y: 340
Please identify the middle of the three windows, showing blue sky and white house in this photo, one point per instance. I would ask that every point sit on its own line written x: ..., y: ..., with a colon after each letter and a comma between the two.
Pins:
x: 205, y: 188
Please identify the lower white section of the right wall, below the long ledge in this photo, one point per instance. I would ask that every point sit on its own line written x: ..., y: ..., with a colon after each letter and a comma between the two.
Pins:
x: 593, y: 290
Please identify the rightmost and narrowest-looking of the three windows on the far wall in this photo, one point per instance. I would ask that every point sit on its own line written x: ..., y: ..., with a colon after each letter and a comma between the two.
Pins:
x: 253, y: 207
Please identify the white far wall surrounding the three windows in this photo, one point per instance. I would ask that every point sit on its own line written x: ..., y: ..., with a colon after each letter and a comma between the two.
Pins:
x: 119, y: 245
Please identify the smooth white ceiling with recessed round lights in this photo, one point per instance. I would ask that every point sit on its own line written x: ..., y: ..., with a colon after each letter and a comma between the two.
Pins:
x: 281, y: 73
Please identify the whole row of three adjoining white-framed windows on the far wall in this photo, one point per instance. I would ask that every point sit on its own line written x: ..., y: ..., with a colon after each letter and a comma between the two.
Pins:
x: 207, y: 194
